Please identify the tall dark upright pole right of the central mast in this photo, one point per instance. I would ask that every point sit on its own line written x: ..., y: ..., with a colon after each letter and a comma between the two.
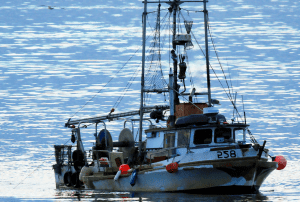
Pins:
x: 206, y: 52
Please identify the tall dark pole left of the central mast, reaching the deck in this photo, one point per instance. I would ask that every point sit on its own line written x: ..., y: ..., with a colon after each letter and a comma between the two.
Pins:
x: 142, y: 79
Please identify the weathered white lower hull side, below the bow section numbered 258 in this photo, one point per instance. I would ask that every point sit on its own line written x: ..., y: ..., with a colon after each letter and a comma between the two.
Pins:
x: 185, y: 179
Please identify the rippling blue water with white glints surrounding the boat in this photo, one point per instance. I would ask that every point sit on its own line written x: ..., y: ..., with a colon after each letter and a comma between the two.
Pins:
x: 53, y: 61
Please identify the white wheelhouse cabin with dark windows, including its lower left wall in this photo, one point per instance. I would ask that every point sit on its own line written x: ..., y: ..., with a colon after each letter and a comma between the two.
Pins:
x: 163, y: 143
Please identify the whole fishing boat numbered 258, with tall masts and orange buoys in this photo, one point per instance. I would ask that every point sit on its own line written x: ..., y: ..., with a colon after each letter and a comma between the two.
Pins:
x: 196, y: 149
